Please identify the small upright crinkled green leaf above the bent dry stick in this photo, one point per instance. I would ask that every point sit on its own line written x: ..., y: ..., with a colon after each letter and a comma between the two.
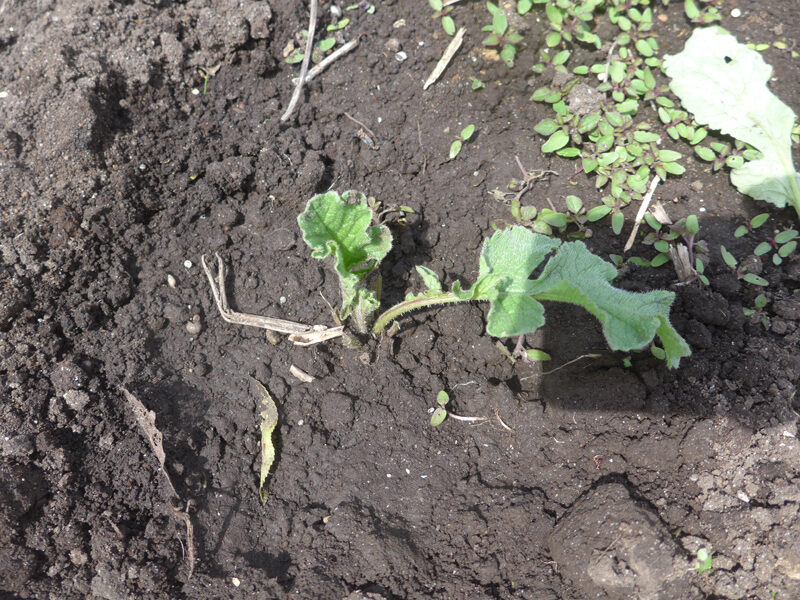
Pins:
x: 332, y: 227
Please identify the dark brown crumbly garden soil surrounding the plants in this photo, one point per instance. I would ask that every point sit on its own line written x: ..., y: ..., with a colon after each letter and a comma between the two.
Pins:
x: 119, y: 169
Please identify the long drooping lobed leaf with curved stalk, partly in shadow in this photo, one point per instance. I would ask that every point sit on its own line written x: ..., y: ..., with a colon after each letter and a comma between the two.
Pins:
x: 573, y: 275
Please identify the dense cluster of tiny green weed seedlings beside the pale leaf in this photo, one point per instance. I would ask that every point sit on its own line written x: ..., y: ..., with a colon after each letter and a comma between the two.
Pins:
x: 601, y: 125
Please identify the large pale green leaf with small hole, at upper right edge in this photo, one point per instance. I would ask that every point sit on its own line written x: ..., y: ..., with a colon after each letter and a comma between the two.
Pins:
x: 724, y: 84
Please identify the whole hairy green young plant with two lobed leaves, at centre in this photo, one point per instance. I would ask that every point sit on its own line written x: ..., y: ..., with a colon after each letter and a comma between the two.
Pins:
x: 334, y: 228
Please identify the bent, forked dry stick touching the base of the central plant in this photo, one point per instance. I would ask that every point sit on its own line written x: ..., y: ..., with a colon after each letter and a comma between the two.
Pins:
x: 299, y: 333
